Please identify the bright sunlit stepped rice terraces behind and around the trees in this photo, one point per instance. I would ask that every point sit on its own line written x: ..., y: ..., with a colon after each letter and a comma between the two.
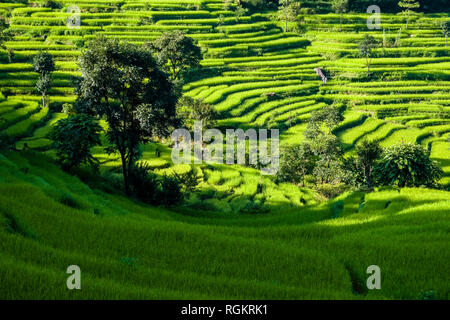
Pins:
x: 253, y: 73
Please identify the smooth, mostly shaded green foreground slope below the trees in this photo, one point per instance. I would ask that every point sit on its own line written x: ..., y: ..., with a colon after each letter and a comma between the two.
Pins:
x: 129, y: 250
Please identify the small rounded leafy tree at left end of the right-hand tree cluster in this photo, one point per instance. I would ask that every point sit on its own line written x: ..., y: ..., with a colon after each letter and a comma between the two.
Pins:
x: 297, y: 161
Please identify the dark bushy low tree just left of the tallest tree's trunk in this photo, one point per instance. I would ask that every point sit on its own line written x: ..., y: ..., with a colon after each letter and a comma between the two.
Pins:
x: 73, y: 139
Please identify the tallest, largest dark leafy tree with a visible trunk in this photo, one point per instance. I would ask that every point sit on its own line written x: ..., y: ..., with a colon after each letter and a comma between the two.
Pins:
x: 124, y: 83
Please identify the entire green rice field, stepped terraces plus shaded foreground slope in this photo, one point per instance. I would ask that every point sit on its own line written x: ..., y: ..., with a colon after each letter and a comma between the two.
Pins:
x: 242, y: 235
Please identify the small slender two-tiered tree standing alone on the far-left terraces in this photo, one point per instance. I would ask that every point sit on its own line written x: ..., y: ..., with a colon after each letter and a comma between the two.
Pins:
x: 44, y: 65
